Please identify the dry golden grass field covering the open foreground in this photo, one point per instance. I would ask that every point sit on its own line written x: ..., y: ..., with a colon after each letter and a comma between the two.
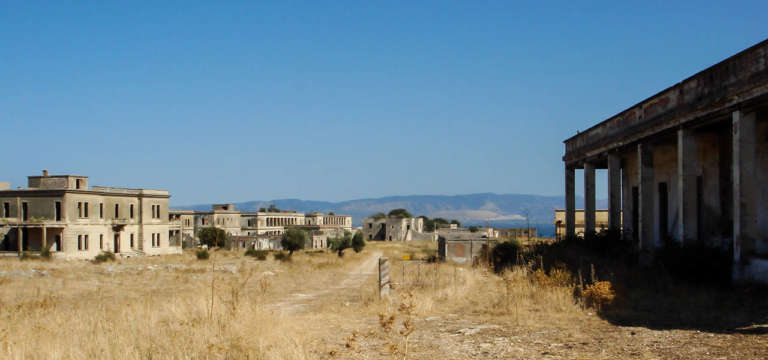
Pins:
x: 316, y: 306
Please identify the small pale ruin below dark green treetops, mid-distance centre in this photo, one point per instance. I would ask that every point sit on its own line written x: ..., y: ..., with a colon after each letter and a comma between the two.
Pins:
x: 394, y: 229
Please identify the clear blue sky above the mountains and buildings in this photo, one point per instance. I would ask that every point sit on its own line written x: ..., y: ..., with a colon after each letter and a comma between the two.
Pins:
x: 235, y: 101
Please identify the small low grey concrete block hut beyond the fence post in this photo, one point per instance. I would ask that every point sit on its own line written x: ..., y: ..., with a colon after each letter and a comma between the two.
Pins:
x: 464, y: 248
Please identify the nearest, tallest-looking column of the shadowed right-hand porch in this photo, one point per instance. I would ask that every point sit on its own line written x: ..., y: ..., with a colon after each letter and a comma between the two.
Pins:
x: 744, y: 185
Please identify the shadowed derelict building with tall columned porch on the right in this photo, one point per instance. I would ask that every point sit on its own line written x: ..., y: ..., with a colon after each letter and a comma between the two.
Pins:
x: 687, y: 164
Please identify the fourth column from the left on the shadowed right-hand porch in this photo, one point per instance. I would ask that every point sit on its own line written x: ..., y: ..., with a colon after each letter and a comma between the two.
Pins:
x: 645, y: 197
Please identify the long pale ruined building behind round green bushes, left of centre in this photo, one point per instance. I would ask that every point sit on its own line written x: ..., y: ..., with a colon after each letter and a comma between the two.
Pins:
x: 259, y: 230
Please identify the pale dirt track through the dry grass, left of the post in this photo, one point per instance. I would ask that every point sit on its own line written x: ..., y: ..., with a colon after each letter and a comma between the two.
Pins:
x: 299, y: 302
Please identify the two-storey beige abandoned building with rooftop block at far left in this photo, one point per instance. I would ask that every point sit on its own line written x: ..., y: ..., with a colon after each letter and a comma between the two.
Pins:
x: 63, y: 214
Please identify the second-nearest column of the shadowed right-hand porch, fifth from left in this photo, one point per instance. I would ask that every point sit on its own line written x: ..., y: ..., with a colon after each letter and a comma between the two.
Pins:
x: 686, y: 187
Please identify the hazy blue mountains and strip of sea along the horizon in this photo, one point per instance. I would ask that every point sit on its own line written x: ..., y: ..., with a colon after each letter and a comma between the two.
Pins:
x: 500, y: 210
